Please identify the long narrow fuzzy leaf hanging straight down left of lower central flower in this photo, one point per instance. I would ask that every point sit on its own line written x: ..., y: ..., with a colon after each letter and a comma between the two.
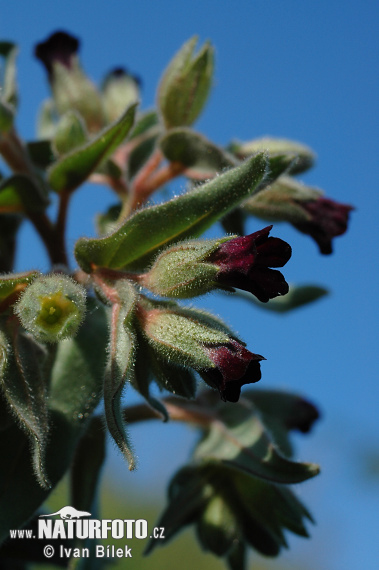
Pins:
x: 120, y: 365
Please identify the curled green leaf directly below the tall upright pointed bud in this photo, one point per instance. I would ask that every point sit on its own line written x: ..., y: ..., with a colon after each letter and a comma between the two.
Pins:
x: 196, y: 152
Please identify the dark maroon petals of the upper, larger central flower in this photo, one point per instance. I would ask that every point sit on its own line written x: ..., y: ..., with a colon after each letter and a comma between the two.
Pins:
x: 245, y: 263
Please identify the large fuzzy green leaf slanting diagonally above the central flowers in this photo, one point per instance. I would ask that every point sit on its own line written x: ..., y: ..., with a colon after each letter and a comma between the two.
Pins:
x: 147, y: 232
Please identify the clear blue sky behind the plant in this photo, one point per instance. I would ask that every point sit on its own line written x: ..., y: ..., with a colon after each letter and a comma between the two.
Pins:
x: 301, y: 70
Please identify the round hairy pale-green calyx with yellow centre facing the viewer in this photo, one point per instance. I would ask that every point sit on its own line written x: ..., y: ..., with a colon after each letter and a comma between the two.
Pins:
x: 52, y: 307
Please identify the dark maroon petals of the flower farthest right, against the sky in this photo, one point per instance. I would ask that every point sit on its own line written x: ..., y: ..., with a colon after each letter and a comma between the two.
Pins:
x: 328, y: 219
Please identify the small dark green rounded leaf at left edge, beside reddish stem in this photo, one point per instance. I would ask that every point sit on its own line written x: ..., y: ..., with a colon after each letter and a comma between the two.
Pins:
x: 21, y: 192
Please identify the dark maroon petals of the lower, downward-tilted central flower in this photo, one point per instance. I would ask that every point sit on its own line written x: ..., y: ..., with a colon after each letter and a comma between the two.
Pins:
x: 234, y: 367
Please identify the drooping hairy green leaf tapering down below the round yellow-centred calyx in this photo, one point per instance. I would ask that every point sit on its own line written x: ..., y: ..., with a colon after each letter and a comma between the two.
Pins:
x: 24, y: 387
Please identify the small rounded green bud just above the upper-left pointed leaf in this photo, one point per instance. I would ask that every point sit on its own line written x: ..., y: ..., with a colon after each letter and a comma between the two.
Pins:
x: 70, y: 133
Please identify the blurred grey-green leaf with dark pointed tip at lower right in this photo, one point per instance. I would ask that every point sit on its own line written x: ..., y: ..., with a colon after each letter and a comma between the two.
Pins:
x: 241, y: 441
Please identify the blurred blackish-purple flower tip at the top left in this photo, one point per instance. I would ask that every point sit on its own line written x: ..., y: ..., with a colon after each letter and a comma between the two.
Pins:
x: 59, y: 47
